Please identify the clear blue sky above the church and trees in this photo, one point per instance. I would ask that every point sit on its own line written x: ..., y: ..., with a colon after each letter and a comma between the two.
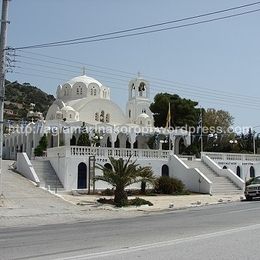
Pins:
x: 217, y: 63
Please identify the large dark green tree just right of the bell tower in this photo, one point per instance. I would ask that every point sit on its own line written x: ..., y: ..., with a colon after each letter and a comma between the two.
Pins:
x: 183, y: 111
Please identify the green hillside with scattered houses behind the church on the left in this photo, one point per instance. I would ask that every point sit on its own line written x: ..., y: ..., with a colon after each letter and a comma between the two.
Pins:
x: 18, y: 98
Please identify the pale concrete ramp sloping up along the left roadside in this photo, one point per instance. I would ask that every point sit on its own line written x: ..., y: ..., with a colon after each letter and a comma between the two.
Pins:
x: 24, y: 204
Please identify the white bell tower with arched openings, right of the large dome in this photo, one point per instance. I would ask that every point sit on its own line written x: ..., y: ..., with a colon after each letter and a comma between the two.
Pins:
x: 138, y: 100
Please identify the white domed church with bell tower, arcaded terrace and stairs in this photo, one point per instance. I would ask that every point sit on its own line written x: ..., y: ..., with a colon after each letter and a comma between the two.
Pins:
x: 83, y: 104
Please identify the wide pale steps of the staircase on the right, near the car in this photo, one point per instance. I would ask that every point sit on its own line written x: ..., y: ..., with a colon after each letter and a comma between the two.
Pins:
x: 220, y: 184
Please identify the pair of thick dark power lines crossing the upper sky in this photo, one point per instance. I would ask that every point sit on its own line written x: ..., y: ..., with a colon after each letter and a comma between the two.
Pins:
x: 108, y: 36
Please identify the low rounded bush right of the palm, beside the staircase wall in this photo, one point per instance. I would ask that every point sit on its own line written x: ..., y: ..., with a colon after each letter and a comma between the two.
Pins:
x: 169, y: 185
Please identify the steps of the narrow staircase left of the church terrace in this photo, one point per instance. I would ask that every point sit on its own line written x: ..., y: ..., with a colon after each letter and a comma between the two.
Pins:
x: 47, y: 175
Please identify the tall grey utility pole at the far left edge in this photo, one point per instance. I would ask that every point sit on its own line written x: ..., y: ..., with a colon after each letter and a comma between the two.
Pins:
x: 3, y: 40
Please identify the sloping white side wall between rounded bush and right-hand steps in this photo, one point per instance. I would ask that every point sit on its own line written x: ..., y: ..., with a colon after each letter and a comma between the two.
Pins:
x: 193, y: 179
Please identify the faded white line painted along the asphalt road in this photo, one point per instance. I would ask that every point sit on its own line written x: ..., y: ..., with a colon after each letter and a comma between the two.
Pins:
x: 160, y: 244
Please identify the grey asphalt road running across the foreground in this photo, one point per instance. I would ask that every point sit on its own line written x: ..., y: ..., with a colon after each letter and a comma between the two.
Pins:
x: 228, y: 231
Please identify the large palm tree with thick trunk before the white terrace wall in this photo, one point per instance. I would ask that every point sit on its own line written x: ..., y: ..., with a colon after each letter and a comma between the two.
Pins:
x: 122, y: 175
